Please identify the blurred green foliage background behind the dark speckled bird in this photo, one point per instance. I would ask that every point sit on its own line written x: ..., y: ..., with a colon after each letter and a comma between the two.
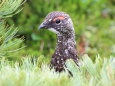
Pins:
x: 94, y: 23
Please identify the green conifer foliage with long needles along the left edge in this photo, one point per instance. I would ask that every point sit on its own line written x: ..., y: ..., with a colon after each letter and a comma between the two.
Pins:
x: 8, y: 42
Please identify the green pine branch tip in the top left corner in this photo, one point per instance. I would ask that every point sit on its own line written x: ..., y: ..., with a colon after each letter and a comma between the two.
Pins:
x: 8, y: 8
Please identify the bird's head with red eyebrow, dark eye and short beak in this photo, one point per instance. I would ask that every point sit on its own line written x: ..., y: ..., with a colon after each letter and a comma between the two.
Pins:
x: 58, y: 22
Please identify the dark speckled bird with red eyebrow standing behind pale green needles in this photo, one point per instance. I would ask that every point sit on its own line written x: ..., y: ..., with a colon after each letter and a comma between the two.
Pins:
x: 61, y: 24
